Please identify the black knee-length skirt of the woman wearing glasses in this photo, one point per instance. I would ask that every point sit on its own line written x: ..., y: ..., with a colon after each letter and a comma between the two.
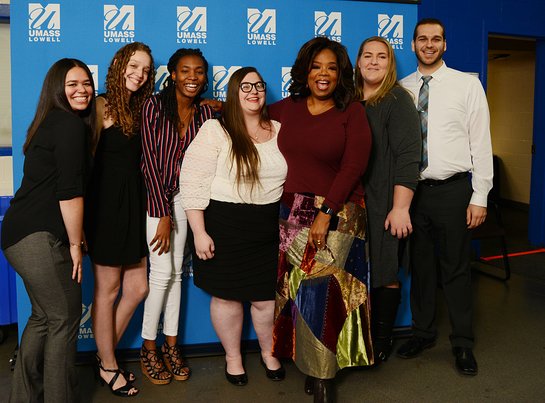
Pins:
x: 244, y: 265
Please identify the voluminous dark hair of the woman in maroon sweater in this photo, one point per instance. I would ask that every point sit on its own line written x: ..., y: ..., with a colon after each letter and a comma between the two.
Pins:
x: 344, y: 91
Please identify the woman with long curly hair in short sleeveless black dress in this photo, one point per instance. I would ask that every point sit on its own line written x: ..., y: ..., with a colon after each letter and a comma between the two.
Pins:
x: 115, y: 209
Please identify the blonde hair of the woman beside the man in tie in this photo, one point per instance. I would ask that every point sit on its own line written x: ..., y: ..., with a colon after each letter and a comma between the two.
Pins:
x: 390, y: 78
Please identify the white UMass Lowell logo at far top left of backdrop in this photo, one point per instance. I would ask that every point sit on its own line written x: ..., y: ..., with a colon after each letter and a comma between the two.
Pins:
x: 44, y: 22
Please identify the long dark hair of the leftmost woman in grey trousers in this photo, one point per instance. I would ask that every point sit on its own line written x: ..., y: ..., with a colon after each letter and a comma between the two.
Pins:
x: 53, y: 96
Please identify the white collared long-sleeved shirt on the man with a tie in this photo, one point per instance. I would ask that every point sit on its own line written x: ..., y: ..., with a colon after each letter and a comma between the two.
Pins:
x: 458, y: 128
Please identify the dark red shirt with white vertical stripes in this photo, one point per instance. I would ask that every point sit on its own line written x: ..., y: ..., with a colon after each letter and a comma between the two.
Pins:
x: 162, y: 153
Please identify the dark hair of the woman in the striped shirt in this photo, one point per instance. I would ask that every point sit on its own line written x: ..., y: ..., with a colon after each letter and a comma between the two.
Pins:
x: 168, y: 93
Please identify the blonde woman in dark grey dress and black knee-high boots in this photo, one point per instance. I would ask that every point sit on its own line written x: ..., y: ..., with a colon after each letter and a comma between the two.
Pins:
x: 390, y: 180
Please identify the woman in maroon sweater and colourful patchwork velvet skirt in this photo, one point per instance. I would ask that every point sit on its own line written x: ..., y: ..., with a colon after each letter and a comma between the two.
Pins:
x: 322, y: 307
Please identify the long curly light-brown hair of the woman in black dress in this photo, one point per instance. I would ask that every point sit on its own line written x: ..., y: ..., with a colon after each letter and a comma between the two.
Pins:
x: 124, y: 109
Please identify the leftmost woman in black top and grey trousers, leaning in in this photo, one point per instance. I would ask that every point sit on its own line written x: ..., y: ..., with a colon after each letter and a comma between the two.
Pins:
x: 42, y: 234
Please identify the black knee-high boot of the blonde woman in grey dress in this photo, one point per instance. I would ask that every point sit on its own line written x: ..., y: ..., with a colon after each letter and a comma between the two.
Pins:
x: 384, y: 304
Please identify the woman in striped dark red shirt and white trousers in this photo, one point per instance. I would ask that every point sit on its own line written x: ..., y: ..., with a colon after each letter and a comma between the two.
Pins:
x: 170, y: 121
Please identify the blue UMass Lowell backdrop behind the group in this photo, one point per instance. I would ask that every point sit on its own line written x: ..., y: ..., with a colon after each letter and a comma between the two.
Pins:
x: 262, y: 33
